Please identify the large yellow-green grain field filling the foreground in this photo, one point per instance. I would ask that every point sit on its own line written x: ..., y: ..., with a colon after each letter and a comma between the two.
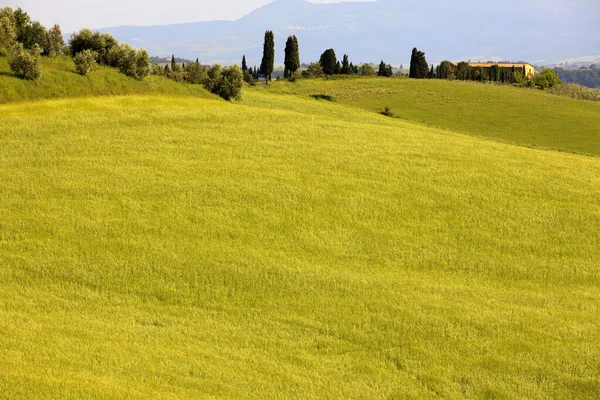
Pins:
x: 298, y: 249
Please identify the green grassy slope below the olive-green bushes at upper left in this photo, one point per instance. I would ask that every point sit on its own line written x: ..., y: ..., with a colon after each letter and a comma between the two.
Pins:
x: 60, y: 80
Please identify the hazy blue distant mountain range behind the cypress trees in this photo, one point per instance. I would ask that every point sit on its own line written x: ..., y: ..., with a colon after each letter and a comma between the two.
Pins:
x: 540, y: 32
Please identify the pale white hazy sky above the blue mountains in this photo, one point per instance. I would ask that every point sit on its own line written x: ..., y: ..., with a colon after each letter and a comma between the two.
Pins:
x: 73, y: 15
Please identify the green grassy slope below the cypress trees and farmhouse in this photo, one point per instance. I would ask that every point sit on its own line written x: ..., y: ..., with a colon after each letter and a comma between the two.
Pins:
x: 526, y: 117
